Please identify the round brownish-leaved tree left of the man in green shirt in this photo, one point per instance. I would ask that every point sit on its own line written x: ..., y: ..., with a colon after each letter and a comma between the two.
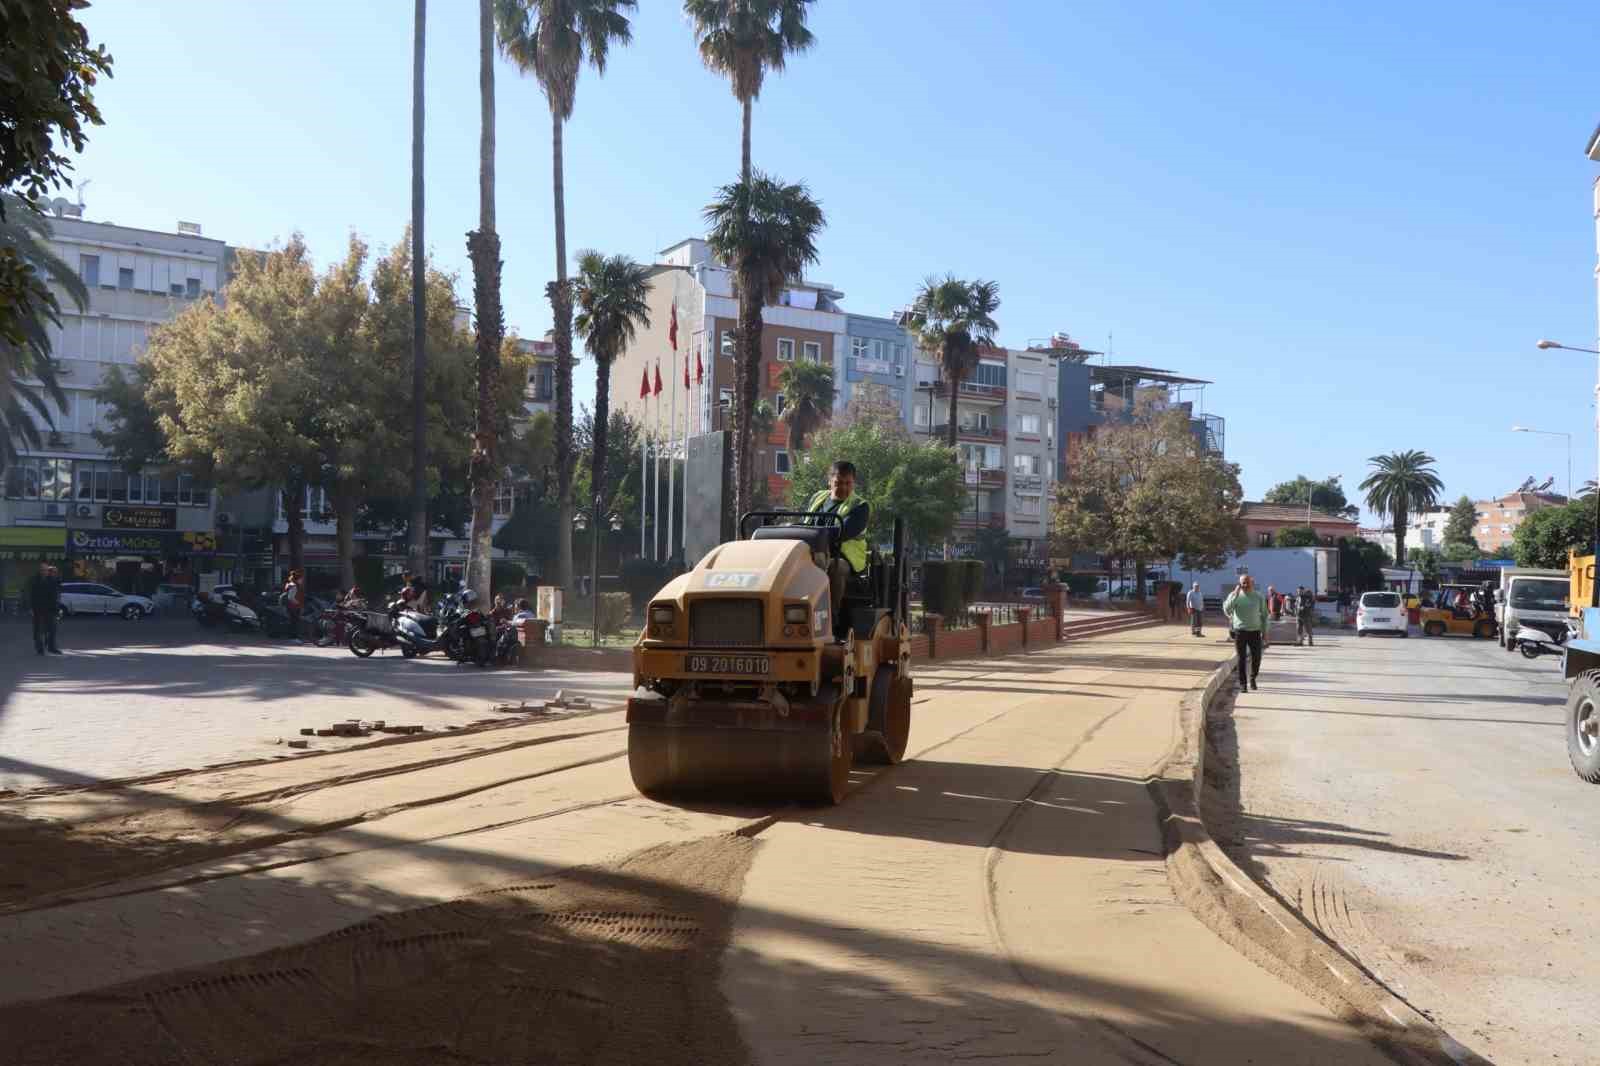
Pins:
x: 1148, y: 491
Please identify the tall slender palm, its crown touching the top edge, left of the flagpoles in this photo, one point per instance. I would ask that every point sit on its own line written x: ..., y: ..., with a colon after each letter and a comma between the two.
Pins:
x: 553, y: 39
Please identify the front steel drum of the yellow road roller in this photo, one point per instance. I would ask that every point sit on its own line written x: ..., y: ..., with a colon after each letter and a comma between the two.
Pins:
x: 791, y: 764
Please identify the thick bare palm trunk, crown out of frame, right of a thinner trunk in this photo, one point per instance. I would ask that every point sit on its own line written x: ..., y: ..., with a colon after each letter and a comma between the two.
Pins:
x: 484, y: 250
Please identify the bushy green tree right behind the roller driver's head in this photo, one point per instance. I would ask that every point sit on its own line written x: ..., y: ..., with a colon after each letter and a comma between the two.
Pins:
x: 900, y: 476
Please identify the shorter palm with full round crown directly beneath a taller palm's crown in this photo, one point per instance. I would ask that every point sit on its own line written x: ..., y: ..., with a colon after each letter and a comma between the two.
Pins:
x: 766, y: 231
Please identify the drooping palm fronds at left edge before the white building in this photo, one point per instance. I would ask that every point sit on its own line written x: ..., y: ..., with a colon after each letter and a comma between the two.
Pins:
x: 28, y: 263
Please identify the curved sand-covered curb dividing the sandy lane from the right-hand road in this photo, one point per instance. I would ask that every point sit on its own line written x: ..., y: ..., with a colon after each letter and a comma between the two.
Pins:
x: 1258, y: 926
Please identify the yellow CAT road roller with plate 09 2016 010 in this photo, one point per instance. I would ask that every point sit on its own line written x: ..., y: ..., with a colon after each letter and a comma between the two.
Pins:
x: 754, y: 689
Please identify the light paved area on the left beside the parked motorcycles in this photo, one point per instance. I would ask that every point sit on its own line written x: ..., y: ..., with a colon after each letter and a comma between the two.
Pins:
x: 140, y: 699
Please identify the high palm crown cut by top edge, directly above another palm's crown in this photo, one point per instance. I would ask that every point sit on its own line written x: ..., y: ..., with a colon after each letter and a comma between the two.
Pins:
x: 743, y: 41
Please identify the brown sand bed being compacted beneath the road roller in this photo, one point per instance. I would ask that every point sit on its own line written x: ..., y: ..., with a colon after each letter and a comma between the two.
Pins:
x: 510, y: 899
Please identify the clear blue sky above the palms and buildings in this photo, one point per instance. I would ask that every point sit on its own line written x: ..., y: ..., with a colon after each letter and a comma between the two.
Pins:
x: 1356, y: 222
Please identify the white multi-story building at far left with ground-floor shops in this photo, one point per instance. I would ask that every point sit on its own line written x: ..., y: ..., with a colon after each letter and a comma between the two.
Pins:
x: 66, y: 500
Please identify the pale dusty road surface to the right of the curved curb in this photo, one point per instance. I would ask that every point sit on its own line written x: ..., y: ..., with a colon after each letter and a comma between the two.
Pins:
x: 1412, y: 801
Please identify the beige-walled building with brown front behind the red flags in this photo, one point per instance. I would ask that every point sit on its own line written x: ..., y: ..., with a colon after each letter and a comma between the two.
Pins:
x: 806, y: 324
